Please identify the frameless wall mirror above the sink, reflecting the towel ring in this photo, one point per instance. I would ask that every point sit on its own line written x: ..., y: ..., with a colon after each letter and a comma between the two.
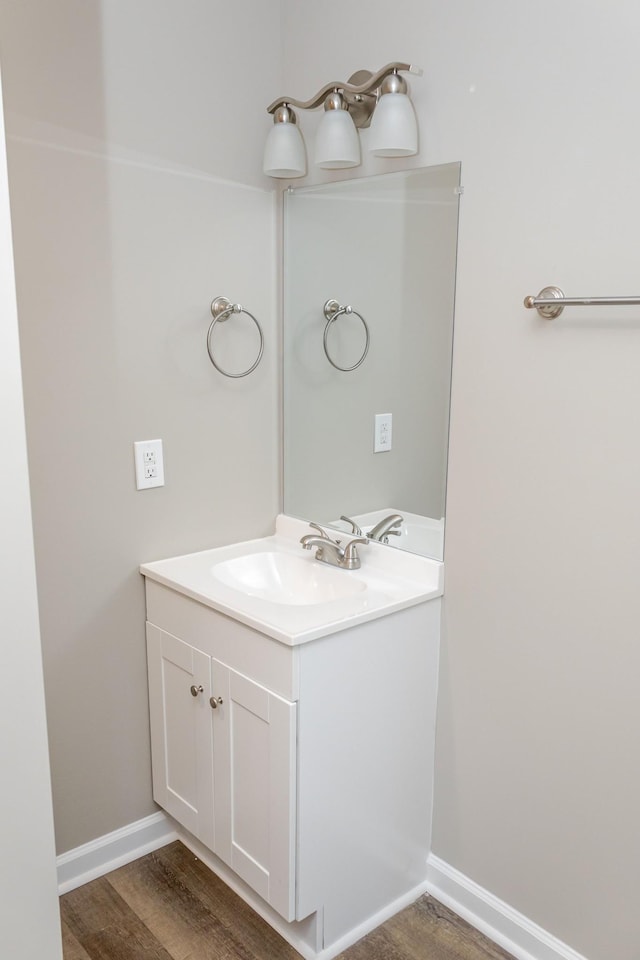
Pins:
x: 386, y: 247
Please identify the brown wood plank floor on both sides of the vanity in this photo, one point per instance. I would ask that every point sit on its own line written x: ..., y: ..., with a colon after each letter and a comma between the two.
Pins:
x: 169, y: 906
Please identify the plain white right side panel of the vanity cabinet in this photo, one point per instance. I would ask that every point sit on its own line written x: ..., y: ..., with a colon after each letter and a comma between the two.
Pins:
x: 366, y: 742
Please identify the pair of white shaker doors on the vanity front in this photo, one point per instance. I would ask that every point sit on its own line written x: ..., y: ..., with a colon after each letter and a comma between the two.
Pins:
x: 224, y: 762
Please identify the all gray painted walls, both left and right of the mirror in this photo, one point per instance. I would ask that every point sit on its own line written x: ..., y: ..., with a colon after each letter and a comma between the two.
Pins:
x: 537, y: 785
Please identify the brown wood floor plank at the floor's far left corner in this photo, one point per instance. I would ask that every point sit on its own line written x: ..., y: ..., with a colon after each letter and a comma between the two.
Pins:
x: 105, y: 926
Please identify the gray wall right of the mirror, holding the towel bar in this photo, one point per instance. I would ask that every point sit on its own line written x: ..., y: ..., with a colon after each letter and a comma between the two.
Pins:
x: 537, y: 781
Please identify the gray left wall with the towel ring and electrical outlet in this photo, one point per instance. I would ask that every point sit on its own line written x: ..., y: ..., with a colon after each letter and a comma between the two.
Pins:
x: 137, y: 197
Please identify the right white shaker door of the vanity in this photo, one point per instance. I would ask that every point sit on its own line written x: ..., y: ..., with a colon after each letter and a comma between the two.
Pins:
x: 255, y: 786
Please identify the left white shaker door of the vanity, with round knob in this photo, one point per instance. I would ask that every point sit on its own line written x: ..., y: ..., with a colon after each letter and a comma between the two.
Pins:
x: 181, y: 731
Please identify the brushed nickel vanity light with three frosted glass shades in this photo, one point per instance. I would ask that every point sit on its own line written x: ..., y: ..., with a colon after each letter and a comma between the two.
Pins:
x: 377, y: 99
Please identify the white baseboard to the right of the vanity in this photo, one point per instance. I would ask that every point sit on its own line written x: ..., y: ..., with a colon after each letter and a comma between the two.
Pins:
x: 511, y: 930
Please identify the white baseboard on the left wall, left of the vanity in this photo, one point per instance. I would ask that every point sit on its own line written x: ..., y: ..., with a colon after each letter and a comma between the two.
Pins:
x: 104, y: 854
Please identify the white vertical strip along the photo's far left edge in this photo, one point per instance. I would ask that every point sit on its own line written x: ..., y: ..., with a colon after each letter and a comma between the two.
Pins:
x: 26, y: 815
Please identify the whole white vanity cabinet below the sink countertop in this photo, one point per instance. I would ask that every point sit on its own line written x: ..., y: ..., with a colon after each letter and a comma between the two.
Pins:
x: 306, y: 767
